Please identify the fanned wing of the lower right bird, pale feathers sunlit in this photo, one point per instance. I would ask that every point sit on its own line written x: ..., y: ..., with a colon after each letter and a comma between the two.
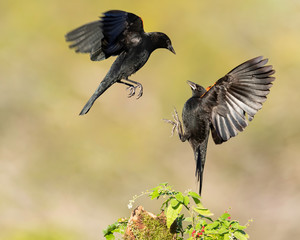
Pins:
x: 238, y: 94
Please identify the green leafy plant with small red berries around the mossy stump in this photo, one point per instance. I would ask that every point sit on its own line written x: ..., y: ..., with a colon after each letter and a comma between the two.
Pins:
x: 195, y: 224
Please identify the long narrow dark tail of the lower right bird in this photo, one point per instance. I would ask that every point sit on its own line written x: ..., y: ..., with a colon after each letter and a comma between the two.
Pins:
x: 200, y: 157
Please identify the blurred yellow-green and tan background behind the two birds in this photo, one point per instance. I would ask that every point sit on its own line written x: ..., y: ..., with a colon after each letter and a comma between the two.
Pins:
x: 64, y: 176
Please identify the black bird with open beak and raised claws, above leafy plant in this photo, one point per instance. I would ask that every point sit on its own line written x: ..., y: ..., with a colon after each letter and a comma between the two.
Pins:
x: 223, y: 108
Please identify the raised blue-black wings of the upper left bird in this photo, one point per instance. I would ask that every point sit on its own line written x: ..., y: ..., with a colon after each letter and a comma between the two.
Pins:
x: 106, y: 37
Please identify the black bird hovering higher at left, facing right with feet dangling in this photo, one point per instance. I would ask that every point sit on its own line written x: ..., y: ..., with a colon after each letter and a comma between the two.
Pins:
x: 117, y: 33
